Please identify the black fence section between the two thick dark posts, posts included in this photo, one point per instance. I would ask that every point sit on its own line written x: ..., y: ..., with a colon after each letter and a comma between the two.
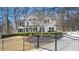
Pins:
x: 47, y: 42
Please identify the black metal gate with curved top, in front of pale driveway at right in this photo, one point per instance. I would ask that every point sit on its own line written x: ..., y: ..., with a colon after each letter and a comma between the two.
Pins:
x: 68, y: 43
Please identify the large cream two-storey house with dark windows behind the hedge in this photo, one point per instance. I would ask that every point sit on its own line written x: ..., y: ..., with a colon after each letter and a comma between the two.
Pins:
x: 33, y: 23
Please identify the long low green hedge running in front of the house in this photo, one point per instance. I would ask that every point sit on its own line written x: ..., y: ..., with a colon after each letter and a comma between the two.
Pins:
x: 32, y: 34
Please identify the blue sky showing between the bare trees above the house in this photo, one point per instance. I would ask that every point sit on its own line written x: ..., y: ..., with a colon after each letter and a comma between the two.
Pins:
x: 27, y: 11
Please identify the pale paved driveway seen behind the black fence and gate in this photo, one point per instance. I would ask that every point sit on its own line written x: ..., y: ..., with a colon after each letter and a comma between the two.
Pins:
x: 63, y: 44
